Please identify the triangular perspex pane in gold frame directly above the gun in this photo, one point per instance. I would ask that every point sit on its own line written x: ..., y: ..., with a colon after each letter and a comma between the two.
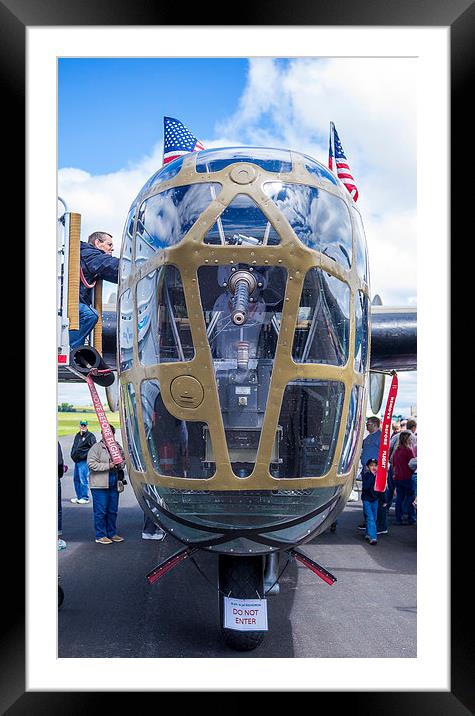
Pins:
x: 242, y: 223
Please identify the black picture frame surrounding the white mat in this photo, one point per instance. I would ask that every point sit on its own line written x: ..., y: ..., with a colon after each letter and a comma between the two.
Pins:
x: 15, y: 17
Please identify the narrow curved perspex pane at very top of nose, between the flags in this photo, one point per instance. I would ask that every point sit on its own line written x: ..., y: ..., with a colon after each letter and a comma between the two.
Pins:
x: 272, y: 160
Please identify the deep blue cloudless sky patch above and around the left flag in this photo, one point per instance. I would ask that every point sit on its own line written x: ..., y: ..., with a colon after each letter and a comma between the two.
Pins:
x: 110, y: 111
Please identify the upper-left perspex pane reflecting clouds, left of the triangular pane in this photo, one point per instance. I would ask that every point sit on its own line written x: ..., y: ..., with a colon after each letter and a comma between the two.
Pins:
x: 165, y: 218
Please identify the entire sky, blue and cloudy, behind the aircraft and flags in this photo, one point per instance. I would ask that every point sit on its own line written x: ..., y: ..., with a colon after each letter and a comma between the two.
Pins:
x: 110, y: 140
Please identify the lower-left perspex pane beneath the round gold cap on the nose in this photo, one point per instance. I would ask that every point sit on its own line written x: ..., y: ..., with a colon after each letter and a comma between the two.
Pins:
x: 176, y: 447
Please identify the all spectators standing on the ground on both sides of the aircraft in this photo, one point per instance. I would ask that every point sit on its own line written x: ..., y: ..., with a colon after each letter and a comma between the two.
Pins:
x: 95, y: 472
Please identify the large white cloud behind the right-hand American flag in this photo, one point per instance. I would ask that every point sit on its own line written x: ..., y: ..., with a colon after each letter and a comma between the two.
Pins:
x: 373, y: 105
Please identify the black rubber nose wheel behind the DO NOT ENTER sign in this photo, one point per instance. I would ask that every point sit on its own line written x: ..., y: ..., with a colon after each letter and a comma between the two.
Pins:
x: 240, y: 577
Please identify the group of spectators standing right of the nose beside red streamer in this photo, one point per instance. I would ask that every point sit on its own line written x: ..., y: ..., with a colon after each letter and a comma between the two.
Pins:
x: 401, y: 484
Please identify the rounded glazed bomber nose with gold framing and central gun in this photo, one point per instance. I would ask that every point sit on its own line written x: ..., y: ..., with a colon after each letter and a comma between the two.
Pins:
x: 243, y: 343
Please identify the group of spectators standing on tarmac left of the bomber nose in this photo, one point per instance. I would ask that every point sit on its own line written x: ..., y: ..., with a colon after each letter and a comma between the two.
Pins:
x: 95, y: 472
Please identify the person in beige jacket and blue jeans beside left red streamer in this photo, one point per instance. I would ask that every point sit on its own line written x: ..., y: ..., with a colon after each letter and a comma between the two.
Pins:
x: 105, y: 487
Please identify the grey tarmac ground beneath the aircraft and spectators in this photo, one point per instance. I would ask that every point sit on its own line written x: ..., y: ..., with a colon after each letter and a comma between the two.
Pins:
x: 110, y: 610
